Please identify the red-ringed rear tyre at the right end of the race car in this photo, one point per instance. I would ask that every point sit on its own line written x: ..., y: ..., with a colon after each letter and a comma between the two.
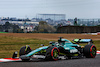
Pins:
x: 90, y: 51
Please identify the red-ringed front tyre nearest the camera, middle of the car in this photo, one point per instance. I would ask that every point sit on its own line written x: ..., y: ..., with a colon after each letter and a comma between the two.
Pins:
x: 52, y: 53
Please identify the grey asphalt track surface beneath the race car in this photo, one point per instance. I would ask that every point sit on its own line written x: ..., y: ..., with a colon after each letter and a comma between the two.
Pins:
x: 84, y: 62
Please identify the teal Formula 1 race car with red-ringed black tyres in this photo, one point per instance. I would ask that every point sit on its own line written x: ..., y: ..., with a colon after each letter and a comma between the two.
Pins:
x: 56, y: 50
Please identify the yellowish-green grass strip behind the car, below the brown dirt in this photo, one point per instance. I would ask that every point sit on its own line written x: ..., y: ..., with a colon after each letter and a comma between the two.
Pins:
x: 10, y: 44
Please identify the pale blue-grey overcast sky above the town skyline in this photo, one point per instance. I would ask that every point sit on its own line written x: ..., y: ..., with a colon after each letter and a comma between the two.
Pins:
x: 29, y: 8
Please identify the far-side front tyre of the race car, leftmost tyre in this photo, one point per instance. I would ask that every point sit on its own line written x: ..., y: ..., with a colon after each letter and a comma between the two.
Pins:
x: 25, y: 50
